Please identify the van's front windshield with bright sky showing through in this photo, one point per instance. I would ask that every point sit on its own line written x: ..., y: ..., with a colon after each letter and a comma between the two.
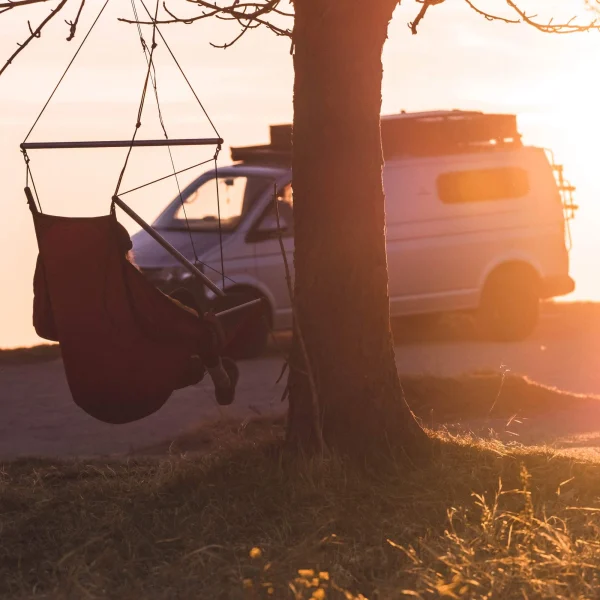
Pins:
x: 236, y: 196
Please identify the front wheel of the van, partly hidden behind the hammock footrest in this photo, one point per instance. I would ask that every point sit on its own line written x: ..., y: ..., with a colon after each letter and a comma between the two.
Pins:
x: 252, y: 336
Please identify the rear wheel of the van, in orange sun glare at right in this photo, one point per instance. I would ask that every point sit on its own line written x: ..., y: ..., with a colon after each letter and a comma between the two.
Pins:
x: 510, y: 306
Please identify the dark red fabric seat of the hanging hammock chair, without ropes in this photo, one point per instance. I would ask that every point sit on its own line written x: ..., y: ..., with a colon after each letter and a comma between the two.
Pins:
x: 125, y: 345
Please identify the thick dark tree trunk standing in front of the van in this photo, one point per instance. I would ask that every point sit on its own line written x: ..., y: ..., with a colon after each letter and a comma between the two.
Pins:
x: 341, y: 279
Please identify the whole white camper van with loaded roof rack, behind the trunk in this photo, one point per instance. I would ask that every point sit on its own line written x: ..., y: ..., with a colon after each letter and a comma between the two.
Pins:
x: 475, y: 222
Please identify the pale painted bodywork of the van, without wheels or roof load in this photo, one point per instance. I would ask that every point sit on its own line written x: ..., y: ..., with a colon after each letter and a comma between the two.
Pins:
x: 443, y: 241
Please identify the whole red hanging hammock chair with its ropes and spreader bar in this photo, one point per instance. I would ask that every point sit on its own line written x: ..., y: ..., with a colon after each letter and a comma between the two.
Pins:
x: 126, y: 346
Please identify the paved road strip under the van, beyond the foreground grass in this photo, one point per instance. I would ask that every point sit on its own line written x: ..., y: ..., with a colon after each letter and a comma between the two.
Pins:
x: 37, y: 416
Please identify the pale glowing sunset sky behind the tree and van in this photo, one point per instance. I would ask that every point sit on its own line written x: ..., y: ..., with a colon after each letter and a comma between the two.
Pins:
x: 457, y: 60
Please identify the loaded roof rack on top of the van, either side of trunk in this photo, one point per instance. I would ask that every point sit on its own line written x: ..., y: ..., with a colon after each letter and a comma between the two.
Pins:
x: 417, y: 134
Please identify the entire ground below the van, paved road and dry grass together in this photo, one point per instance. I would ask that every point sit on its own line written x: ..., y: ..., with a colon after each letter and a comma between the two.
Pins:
x: 218, y: 511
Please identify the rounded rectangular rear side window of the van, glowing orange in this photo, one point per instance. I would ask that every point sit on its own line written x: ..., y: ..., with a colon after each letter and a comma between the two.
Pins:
x: 481, y: 185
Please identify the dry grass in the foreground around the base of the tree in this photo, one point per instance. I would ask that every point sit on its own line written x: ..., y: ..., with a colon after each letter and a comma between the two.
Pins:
x: 240, y: 522
